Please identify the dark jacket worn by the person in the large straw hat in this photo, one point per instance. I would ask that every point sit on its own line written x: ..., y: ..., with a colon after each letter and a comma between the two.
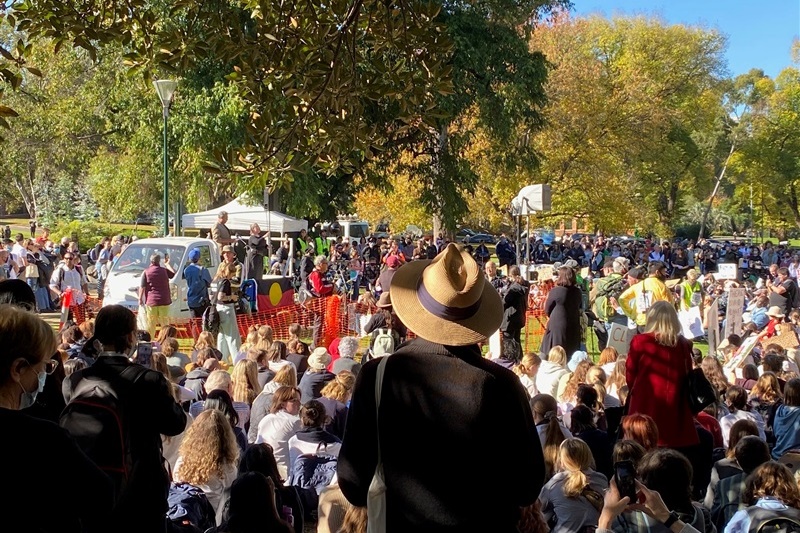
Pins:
x: 447, y: 419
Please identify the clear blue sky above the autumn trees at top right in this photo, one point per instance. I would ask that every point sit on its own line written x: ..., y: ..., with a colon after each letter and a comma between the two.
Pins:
x: 760, y: 32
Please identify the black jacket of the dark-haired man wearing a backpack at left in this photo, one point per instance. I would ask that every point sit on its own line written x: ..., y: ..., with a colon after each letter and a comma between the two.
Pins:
x: 151, y: 412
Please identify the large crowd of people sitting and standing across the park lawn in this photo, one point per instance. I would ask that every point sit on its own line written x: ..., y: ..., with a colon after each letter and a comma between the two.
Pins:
x: 416, y: 426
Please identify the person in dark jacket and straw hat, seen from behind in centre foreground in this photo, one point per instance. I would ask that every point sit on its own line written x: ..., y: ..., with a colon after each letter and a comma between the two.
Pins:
x: 447, y: 416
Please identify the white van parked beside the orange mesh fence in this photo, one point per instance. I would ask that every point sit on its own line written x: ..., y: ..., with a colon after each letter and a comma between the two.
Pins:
x: 125, y: 276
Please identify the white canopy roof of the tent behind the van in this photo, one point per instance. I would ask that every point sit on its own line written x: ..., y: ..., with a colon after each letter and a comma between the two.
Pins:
x: 240, y: 216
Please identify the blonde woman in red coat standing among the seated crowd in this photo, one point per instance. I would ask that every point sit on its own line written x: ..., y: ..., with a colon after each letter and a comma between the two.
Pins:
x: 657, y: 365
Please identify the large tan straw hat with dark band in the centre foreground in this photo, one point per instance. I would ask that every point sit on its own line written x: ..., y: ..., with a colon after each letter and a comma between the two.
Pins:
x: 447, y: 300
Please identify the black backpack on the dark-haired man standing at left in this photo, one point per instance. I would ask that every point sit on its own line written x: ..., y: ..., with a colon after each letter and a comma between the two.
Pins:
x: 96, y: 419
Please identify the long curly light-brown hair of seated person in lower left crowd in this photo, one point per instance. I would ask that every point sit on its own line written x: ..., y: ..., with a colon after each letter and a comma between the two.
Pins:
x: 209, y: 445
